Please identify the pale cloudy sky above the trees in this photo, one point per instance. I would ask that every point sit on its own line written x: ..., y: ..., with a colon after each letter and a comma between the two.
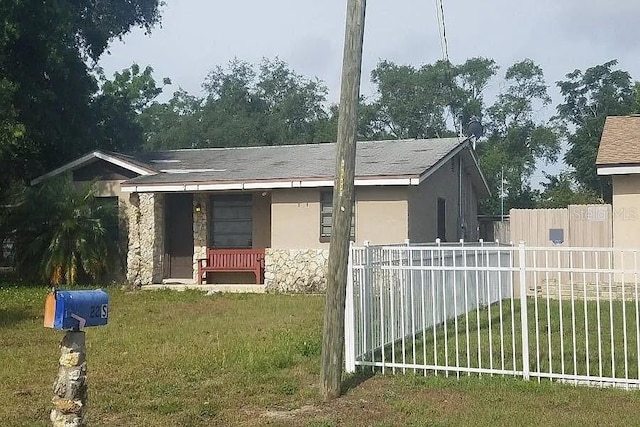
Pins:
x: 559, y: 35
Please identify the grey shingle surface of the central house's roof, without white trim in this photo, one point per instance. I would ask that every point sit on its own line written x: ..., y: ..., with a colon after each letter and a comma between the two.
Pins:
x: 376, y: 159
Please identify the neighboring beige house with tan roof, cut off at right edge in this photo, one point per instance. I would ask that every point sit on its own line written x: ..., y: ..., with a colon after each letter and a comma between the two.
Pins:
x: 619, y: 157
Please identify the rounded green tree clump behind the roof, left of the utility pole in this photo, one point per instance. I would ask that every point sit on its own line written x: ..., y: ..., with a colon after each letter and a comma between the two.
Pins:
x: 245, y: 105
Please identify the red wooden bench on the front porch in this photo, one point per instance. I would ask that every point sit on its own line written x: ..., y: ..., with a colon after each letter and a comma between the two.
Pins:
x: 232, y: 261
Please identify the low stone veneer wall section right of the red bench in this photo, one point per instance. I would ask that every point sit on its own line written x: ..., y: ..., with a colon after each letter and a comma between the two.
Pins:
x: 296, y: 270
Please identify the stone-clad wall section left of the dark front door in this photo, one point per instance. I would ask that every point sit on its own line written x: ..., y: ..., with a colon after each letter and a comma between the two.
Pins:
x: 146, y: 238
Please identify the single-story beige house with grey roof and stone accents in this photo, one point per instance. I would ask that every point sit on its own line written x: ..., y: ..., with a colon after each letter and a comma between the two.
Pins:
x: 179, y: 203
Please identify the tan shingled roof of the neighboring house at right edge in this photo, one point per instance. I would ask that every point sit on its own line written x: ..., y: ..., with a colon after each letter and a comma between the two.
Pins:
x: 619, y: 151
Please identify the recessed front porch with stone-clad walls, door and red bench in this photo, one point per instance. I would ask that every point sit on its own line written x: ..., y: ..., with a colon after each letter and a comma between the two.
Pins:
x: 203, y: 238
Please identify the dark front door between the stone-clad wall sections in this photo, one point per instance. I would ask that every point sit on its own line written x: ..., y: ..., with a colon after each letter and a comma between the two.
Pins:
x: 178, y: 227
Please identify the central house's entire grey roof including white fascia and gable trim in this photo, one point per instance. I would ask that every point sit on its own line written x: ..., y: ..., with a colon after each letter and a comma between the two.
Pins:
x: 391, y: 162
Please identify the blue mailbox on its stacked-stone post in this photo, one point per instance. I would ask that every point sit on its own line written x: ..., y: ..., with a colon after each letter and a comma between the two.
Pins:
x: 72, y: 311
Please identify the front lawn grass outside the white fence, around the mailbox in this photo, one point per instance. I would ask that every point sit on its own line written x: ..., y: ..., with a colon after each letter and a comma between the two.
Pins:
x: 186, y: 359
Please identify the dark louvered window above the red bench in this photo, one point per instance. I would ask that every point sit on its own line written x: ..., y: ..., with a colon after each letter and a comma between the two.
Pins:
x: 231, y: 221
